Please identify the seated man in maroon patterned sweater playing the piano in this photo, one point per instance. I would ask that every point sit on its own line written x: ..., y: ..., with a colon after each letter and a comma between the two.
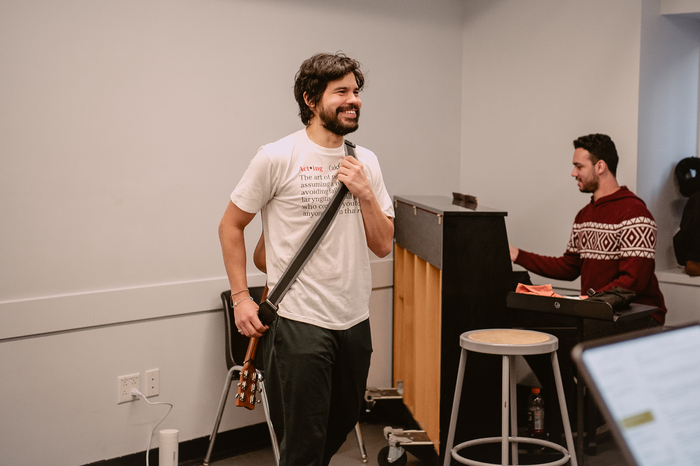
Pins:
x: 613, y: 238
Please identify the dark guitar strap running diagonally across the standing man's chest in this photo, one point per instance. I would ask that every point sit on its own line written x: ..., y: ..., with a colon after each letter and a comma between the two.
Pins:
x: 268, y: 308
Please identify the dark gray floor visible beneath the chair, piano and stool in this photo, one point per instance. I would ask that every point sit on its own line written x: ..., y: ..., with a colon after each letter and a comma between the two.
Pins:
x: 349, y: 454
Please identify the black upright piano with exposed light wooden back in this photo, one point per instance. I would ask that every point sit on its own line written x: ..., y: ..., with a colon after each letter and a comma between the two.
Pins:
x: 452, y: 272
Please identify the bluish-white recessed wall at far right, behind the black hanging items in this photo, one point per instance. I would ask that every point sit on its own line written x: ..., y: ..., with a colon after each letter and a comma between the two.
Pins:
x: 668, y: 117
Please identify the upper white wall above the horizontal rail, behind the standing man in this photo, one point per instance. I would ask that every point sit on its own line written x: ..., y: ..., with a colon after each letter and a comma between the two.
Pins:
x: 127, y: 124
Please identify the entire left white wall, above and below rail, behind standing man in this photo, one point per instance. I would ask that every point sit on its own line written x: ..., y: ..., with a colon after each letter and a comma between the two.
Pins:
x: 125, y: 126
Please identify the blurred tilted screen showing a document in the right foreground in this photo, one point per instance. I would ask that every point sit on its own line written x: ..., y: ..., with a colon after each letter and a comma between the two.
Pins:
x: 649, y: 387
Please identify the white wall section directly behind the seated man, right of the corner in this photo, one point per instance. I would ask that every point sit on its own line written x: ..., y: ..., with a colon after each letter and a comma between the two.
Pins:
x: 537, y: 75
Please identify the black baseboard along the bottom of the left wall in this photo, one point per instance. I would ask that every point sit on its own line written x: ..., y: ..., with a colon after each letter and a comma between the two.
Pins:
x: 190, y: 453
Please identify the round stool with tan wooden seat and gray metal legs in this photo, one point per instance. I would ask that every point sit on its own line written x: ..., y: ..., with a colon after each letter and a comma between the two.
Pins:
x: 508, y: 343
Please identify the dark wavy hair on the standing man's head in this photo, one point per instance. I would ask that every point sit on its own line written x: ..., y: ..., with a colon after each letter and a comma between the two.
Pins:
x: 314, y: 75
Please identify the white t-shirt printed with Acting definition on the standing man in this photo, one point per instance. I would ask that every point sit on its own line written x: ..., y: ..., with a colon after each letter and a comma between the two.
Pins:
x: 291, y: 181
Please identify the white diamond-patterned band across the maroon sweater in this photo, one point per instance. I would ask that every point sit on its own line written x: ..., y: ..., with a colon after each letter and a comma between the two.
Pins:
x: 635, y: 237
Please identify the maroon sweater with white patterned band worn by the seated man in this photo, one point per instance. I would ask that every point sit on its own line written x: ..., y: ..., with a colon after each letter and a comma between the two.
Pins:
x: 613, y: 243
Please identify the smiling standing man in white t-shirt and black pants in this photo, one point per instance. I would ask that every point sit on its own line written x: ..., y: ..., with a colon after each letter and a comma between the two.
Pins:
x: 317, y: 350
